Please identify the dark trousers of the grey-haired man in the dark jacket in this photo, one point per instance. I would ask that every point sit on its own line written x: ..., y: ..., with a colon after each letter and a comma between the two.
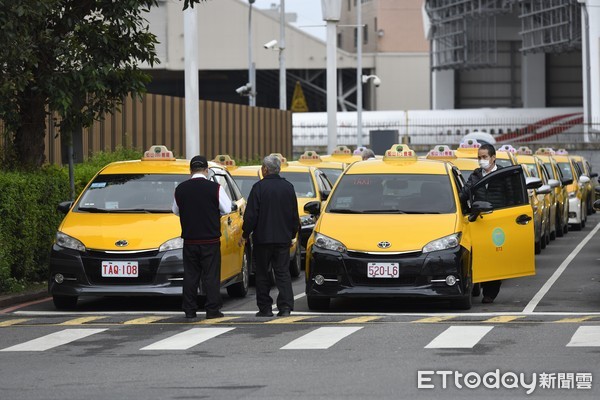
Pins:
x: 276, y: 257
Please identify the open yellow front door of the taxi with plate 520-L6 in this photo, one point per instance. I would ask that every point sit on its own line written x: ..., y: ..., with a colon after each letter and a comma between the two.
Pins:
x: 503, y: 239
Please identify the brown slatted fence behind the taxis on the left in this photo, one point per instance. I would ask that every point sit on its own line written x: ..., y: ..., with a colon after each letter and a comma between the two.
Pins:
x: 241, y: 131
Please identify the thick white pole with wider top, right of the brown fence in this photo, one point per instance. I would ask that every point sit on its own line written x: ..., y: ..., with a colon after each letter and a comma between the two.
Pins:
x: 332, y: 10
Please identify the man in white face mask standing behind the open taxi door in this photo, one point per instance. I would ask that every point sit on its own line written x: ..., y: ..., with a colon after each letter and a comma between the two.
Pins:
x: 497, y: 194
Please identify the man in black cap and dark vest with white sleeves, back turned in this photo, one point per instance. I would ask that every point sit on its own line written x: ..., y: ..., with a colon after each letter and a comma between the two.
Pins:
x: 199, y: 203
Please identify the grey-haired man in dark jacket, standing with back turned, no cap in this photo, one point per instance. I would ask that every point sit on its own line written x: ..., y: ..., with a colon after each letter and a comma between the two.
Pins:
x: 272, y: 218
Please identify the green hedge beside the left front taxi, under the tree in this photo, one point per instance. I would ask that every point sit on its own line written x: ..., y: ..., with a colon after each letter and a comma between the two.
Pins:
x: 29, y: 219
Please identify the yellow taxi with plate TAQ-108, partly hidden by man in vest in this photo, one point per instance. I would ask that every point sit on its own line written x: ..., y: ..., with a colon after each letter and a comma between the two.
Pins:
x: 121, y: 238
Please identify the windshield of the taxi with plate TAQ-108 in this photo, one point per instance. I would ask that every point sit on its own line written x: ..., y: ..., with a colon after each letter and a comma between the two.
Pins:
x: 130, y: 193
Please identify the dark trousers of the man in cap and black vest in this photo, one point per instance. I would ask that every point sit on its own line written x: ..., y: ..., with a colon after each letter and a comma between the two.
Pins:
x: 202, y: 262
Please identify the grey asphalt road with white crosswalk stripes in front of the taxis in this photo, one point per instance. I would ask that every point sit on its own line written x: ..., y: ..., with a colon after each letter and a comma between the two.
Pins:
x: 539, y: 339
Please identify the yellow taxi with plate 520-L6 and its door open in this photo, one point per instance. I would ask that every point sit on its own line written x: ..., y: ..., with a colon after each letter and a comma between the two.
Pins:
x: 397, y: 227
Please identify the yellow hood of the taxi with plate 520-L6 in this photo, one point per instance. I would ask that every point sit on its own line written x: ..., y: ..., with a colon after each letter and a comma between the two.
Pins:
x: 404, y: 232
